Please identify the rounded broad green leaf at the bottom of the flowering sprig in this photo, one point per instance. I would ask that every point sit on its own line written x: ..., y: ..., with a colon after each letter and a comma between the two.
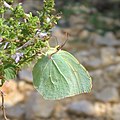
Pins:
x: 9, y: 72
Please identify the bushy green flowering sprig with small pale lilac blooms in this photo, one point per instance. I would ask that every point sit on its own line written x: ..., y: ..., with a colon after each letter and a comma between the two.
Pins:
x: 23, y: 36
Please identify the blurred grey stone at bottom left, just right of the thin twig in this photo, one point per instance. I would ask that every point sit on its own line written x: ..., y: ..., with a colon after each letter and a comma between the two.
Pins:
x: 15, y: 112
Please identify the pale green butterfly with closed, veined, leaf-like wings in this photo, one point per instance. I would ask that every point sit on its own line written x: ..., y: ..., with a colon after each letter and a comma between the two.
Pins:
x: 60, y: 76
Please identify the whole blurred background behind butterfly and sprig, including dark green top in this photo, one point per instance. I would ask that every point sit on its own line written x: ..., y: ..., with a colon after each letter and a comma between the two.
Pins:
x: 94, y: 39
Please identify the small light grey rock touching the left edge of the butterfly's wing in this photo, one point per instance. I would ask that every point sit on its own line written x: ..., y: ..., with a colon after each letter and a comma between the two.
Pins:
x: 26, y: 75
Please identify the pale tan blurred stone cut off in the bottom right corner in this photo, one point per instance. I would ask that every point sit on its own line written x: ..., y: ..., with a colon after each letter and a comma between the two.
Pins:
x: 116, y: 111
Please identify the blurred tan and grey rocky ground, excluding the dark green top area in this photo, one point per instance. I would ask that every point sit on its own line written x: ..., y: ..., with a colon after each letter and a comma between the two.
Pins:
x: 101, y: 57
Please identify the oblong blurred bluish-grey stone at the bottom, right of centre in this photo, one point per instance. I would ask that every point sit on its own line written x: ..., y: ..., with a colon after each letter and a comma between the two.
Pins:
x: 82, y: 107
